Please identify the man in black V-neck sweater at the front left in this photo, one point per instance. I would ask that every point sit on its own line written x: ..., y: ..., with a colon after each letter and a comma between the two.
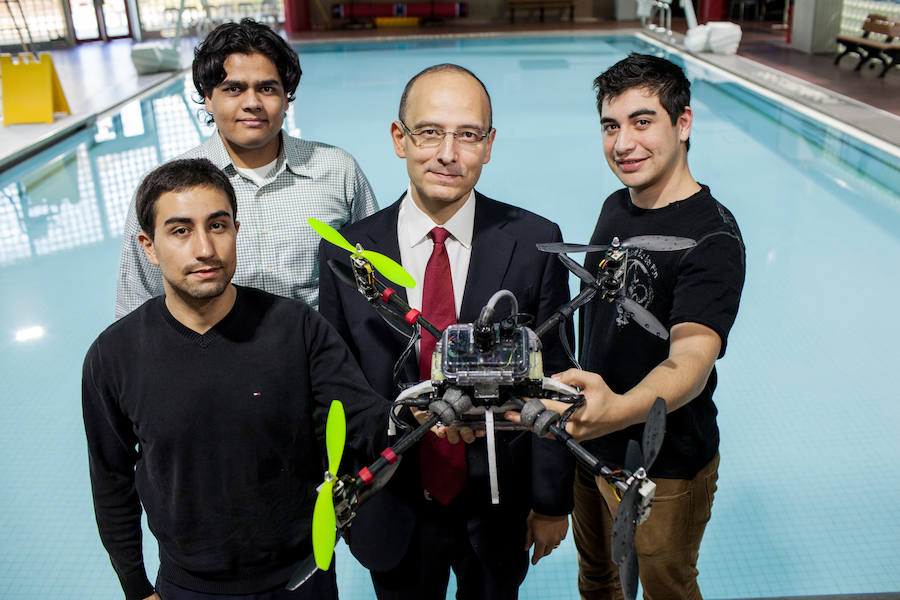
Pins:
x: 199, y: 406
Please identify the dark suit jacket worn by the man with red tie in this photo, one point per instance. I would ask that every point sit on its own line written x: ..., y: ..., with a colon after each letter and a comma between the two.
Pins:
x: 533, y: 473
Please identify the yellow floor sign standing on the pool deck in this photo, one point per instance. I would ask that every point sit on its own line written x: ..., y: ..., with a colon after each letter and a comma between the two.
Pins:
x: 31, y: 90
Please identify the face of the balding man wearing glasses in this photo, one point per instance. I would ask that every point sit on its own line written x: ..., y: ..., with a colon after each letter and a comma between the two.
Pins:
x: 443, y: 176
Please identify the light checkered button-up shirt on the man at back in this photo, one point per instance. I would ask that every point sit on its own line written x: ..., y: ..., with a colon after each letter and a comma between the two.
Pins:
x: 276, y: 249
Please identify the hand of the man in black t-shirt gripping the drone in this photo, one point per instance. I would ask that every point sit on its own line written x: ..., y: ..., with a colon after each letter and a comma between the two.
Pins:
x: 602, y: 410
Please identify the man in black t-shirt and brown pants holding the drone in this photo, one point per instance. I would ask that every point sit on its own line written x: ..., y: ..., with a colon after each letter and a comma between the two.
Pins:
x: 645, y: 113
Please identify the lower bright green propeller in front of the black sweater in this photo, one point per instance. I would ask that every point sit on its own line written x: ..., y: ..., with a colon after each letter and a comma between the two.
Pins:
x: 324, y: 521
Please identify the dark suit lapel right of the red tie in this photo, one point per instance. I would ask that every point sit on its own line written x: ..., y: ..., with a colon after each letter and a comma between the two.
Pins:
x: 492, y: 252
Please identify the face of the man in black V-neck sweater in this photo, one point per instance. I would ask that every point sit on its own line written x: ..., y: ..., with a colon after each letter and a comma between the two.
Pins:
x: 193, y: 243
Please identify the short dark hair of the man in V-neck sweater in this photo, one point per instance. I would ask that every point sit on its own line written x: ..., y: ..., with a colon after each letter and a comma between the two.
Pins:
x: 177, y: 176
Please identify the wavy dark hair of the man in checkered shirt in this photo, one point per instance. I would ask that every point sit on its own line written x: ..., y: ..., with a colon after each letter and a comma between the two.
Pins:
x: 246, y: 37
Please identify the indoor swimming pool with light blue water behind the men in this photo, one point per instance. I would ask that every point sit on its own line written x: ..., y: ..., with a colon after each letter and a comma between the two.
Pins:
x: 807, y: 394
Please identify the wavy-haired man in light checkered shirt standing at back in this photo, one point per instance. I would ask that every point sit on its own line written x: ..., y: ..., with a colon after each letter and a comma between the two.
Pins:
x: 247, y: 75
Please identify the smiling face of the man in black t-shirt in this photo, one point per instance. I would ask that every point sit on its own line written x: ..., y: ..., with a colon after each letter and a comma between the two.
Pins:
x: 642, y: 146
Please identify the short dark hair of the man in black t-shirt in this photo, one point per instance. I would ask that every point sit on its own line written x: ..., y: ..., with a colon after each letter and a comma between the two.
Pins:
x: 658, y: 75
